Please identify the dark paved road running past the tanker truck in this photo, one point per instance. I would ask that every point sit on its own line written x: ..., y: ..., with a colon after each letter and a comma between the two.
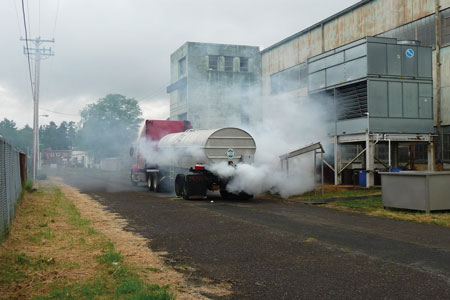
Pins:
x: 274, y: 250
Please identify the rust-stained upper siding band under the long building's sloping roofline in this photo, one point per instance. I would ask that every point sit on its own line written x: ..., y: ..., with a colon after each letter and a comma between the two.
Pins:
x: 368, y: 20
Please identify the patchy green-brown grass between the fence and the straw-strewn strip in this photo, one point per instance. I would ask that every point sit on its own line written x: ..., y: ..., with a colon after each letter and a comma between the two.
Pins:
x: 52, y: 252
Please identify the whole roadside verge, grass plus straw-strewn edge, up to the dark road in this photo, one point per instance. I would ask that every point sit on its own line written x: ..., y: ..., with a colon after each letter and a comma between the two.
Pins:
x: 65, y: 244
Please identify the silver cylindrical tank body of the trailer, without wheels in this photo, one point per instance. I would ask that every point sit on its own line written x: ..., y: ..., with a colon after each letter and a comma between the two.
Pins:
x: 208, y: 146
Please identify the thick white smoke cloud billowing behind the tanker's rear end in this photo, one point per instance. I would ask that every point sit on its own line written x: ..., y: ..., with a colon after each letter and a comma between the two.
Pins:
x: 286, y: 126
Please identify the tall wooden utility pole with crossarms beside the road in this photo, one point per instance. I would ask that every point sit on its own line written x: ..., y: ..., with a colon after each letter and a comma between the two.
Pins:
x: 39, y: 53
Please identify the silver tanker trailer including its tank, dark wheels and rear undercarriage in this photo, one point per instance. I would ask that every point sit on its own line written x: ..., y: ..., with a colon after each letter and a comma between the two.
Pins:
x: 192, y: 150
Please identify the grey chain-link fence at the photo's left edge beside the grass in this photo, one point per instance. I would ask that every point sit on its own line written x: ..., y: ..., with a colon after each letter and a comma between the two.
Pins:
x: 12, y: 179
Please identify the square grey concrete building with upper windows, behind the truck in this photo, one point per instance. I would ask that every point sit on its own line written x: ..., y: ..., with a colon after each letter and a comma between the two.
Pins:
x: 212, y: 85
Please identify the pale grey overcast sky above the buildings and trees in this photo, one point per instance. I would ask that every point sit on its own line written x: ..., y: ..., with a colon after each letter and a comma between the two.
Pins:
x: 124, y: 46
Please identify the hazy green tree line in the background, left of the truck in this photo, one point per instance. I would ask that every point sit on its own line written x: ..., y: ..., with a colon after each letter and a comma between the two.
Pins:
x: 106, y: 129
